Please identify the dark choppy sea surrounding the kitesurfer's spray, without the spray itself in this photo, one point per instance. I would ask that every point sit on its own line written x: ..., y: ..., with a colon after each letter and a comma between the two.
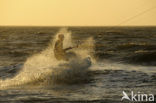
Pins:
x: 125, y: 60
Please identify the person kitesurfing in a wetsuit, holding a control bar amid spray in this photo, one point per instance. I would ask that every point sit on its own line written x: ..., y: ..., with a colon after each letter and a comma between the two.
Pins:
x: 59, y: 52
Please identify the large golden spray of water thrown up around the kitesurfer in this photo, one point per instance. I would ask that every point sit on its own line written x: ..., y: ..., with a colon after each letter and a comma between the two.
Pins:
x: 43, y: 68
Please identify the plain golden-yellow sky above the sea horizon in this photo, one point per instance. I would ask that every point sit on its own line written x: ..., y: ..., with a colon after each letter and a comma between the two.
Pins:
x: 78, y: 12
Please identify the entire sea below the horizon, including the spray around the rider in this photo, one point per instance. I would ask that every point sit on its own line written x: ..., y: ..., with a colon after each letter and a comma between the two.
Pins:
x: 120, y: 59
